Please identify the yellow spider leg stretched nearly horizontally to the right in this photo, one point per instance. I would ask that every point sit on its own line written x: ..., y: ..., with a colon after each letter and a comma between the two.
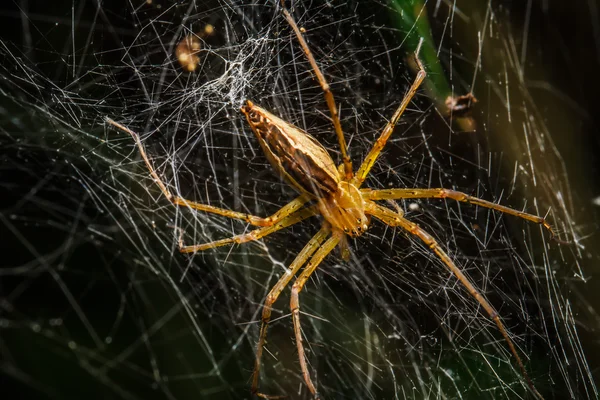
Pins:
x: 396, y: 194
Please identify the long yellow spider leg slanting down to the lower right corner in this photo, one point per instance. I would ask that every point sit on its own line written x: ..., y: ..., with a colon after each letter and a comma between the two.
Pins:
x: 394, y: 219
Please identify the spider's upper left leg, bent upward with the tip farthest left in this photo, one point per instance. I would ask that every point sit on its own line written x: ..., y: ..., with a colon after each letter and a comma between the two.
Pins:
x: 251, y: 219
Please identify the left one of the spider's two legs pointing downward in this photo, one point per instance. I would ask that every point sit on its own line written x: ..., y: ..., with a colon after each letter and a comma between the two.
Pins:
x: 300, y: 259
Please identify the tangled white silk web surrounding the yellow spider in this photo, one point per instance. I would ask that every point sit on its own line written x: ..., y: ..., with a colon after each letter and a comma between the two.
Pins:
x: 98, y: 303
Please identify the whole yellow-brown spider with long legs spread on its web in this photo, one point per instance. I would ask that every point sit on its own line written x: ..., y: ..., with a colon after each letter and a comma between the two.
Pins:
x: 335, y: 193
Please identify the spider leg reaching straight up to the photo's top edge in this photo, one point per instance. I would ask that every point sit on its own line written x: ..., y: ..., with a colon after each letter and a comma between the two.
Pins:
x: 326, y: 89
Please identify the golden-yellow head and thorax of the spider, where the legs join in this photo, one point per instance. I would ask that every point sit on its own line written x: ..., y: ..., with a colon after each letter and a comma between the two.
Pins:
x: 345, y: 210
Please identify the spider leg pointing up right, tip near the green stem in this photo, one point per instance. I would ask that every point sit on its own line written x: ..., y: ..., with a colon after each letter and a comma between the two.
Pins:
x: 369, y: 161
